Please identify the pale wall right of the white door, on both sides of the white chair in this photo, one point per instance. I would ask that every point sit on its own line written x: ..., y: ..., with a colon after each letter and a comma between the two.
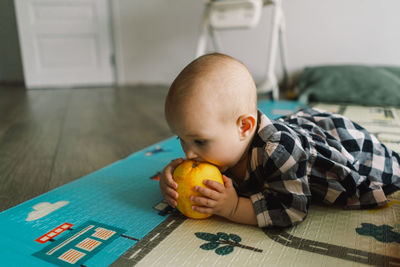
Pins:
x: 159, y: 37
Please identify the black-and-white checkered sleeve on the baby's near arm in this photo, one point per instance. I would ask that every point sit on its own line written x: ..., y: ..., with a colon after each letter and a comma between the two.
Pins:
x: 284, y: 198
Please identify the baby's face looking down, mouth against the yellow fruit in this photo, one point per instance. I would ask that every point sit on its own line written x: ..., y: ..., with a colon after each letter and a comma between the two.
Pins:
x: 204, y: 137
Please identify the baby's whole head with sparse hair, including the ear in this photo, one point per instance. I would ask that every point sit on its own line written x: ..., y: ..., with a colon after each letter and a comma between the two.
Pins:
x: 212, y: 107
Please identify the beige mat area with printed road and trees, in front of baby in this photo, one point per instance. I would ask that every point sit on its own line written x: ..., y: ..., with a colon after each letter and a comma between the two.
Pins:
x: 328, y: 237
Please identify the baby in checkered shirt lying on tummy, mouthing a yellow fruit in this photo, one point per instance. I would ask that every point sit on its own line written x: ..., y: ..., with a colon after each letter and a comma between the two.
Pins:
x: 272, y: 168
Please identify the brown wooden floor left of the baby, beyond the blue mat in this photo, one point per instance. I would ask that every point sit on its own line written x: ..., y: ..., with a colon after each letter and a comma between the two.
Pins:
x: 52, y: 137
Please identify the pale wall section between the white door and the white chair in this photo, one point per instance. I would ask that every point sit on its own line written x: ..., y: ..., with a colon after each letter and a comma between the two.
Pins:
x: 154, y: 38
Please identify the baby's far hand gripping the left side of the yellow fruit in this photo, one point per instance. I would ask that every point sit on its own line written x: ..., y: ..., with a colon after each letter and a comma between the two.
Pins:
x: 167, y: 184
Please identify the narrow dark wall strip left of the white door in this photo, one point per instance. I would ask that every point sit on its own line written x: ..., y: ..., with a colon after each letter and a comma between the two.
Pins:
x: 10, y: 57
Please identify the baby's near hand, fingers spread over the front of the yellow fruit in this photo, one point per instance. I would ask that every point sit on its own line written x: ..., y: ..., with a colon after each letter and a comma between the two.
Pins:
x: 217, y: 199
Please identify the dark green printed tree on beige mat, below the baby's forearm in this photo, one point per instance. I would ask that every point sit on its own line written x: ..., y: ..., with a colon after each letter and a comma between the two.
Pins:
x: 229, y: 241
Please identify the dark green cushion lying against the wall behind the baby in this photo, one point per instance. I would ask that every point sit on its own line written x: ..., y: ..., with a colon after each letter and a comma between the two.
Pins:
x: 364, y: 85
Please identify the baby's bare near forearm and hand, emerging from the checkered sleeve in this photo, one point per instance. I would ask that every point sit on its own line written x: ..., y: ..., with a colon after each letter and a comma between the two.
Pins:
x: 223, y: 200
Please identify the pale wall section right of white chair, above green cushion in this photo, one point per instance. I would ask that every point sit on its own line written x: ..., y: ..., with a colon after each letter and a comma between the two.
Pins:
x: 343, y: 31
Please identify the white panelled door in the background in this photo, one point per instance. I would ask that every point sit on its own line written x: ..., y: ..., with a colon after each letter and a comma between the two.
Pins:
x: 65, y: 43
